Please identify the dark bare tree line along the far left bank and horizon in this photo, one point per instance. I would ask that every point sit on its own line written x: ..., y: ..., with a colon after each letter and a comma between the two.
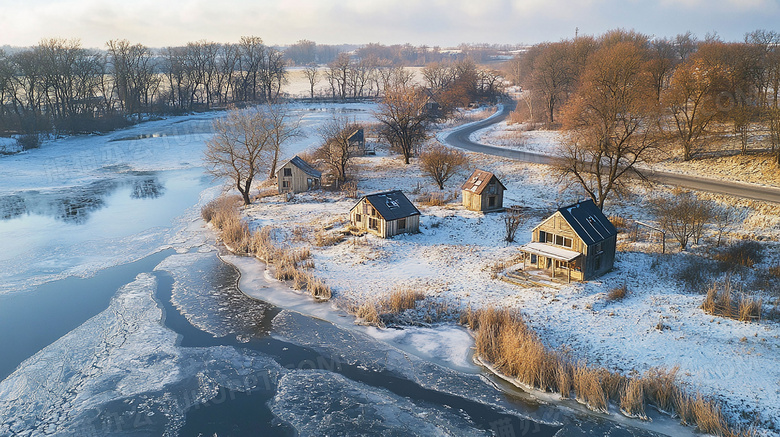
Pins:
x: 57, y: 86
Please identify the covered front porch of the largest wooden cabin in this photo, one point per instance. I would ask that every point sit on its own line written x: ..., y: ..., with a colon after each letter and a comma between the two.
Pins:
x: 557, y: 262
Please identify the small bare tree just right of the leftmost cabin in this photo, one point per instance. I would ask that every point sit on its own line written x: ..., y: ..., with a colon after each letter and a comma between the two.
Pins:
x: 336, y: 151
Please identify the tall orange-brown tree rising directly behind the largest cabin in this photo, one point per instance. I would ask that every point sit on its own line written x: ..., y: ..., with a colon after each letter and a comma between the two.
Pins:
x: 611, y: 122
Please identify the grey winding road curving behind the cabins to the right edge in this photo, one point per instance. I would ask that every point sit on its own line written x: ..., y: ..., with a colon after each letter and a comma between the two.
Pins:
x: 460, y: 138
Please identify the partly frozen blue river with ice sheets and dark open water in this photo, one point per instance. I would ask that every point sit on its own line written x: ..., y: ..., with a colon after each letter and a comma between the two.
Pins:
x: 118, y: 317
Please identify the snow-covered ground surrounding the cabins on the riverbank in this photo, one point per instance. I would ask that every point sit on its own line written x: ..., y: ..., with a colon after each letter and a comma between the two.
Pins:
x: 453, y: 256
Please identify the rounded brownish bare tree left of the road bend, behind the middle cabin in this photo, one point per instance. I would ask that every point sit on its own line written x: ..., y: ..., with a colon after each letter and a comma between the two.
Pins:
x: 404, y: 119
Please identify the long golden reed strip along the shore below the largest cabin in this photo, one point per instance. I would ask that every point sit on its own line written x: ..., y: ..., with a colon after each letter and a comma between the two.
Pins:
x: 504, y: 340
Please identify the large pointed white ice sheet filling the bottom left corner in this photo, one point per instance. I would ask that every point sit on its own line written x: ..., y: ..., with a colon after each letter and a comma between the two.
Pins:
x: 122, y: 371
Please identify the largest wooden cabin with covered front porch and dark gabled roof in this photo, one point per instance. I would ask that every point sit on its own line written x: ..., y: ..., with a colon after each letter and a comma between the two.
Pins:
x: 577, y: 242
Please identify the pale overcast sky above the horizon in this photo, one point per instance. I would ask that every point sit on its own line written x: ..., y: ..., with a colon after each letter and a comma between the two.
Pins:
x: 444, y: 23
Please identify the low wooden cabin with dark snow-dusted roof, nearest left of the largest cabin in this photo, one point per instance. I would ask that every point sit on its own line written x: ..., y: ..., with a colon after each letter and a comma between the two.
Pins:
x: 385, y: 214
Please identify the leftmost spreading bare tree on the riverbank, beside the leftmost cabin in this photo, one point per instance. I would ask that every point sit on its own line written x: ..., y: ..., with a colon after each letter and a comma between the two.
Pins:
x: 239, y: 149
